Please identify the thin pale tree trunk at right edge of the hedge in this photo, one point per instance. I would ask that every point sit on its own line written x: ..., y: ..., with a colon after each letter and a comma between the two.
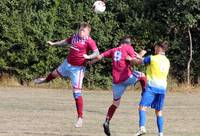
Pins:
x: 190, y: 59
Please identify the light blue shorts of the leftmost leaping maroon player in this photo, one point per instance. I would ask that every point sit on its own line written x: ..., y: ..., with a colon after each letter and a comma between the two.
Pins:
x: 75, y: 73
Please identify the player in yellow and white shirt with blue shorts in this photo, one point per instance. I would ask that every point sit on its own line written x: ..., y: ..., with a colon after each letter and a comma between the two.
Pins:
x: 157, y: 70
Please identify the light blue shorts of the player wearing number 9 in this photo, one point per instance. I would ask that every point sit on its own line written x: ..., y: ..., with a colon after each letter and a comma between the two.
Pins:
x: 118, y: 89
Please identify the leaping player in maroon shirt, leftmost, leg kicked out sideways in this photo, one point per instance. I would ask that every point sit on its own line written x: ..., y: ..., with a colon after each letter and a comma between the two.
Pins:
x: 73, y: 66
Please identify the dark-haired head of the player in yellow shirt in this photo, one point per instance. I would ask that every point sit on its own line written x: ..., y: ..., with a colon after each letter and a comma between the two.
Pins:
x: 161, y: 47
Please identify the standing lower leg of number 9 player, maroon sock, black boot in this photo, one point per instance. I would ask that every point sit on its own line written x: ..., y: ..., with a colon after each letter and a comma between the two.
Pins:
x: 110, y: 113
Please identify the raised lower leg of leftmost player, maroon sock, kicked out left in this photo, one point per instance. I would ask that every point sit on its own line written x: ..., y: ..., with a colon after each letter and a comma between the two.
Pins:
x: 50, y: 77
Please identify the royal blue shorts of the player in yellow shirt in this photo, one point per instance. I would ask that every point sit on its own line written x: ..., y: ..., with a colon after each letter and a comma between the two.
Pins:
x: 152, y: 99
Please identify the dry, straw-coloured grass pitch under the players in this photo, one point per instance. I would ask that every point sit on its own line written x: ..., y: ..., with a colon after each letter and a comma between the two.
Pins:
x: 46, y: 112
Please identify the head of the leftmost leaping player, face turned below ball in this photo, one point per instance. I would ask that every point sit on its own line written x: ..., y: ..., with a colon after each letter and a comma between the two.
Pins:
x: 84, y: 30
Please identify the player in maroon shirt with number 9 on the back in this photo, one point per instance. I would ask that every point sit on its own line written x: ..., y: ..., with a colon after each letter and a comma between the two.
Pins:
x: 122, y: 75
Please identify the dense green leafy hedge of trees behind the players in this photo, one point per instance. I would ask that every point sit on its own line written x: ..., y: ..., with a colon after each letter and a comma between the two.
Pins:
x: 26, y: 26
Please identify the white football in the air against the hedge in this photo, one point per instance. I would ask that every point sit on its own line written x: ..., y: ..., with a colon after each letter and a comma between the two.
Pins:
x: 99, y: 6
